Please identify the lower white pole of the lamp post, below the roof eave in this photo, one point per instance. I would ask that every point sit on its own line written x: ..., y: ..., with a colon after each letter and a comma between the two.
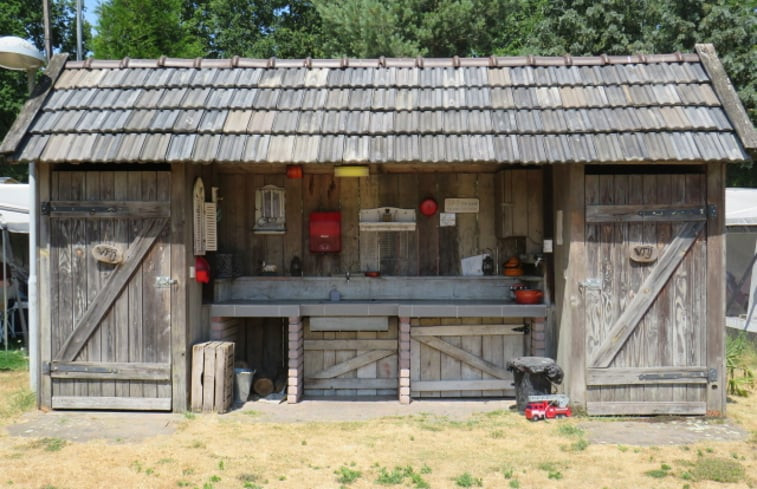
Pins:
x: 33, y: 297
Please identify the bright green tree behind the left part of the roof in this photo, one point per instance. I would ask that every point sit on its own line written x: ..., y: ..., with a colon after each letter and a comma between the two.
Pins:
x: 143, y: 29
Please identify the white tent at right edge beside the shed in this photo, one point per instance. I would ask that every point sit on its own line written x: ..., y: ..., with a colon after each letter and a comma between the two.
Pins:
x: 741, y: 254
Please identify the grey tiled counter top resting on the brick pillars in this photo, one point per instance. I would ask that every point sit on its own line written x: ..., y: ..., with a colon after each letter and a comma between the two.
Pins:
x: 401, y: 308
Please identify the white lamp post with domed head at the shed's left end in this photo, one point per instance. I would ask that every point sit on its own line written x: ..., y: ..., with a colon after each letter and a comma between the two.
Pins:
x: 19, y: 54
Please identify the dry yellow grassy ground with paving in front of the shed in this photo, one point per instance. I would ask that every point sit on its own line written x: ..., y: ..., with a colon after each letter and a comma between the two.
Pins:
x: 343, y: 445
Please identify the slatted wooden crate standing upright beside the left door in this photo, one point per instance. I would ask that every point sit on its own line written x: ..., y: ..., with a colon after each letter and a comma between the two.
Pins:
x: 212, y: 376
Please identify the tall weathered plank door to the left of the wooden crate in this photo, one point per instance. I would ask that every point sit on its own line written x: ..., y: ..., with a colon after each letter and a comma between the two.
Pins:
x: 110, y: 290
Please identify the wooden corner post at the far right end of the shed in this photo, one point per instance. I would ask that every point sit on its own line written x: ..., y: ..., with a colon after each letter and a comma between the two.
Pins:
x: 715, y: 335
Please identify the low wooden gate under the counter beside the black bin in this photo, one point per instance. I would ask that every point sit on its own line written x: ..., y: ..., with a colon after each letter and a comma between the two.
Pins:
x: 464, y: 357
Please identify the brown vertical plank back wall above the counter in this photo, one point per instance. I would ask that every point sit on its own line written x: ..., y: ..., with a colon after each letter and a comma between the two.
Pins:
x: 430, y: 250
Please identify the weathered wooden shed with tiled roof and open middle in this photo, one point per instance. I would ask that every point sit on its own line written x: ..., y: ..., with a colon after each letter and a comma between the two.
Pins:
x: 346, y: 209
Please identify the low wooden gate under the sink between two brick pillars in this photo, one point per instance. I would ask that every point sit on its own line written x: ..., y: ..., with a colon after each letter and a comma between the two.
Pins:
x: 351, y: 363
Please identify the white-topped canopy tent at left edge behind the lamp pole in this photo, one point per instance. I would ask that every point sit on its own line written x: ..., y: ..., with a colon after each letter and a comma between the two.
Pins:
x: 14, y: 219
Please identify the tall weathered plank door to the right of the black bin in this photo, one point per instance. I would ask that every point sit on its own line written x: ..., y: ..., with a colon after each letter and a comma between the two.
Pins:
x: 644, y: 295
